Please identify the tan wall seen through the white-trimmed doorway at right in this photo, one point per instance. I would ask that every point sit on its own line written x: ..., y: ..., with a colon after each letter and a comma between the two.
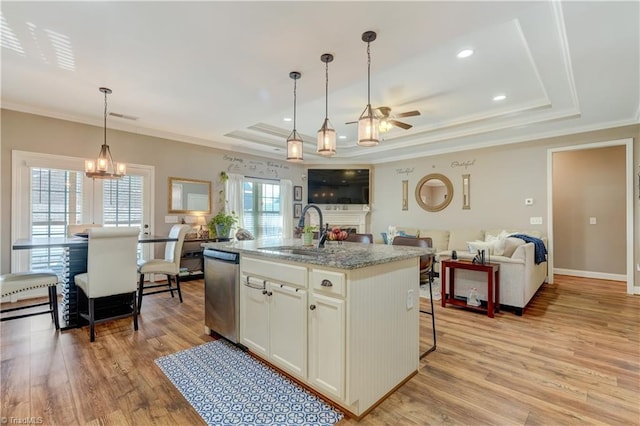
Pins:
x: 590, y: 183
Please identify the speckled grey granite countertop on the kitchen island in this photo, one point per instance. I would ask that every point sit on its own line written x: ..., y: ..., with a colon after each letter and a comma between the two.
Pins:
x: 343, y: 256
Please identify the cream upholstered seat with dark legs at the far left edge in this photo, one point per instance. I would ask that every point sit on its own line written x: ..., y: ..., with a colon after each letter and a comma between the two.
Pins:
x: 23, y: 281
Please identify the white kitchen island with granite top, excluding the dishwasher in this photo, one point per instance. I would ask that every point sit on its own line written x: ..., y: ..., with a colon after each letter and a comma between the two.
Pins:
x: 342, y: 320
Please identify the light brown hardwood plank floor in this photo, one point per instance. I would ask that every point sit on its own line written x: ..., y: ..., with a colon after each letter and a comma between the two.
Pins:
x: 573, y: 358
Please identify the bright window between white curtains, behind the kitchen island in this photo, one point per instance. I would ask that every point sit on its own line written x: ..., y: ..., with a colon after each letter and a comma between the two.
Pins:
x: 262, y: 213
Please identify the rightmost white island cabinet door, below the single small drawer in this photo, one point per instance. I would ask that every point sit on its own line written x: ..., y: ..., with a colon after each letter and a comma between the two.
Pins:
x: 327, y: 344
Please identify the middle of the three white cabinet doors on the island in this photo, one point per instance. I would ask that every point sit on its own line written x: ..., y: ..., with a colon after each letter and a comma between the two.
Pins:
x: 288, y: 328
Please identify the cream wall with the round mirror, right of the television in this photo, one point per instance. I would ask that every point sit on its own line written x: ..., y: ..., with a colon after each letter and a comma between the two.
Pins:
x: 501, y: 179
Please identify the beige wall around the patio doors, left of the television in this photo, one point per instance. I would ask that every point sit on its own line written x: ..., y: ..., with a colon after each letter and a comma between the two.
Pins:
x: 27, y: 132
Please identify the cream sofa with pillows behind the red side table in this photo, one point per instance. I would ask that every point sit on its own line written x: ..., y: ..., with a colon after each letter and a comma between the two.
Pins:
x: 520, y: 276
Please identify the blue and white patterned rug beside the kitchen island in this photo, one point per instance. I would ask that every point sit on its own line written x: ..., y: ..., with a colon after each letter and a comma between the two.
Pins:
x: 227, y: 386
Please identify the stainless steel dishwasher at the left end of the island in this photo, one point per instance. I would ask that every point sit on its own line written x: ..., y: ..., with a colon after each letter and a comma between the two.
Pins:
x: 222, y: 293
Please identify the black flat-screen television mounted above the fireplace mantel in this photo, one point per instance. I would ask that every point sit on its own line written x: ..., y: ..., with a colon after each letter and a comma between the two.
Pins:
x: 338, y: 186
